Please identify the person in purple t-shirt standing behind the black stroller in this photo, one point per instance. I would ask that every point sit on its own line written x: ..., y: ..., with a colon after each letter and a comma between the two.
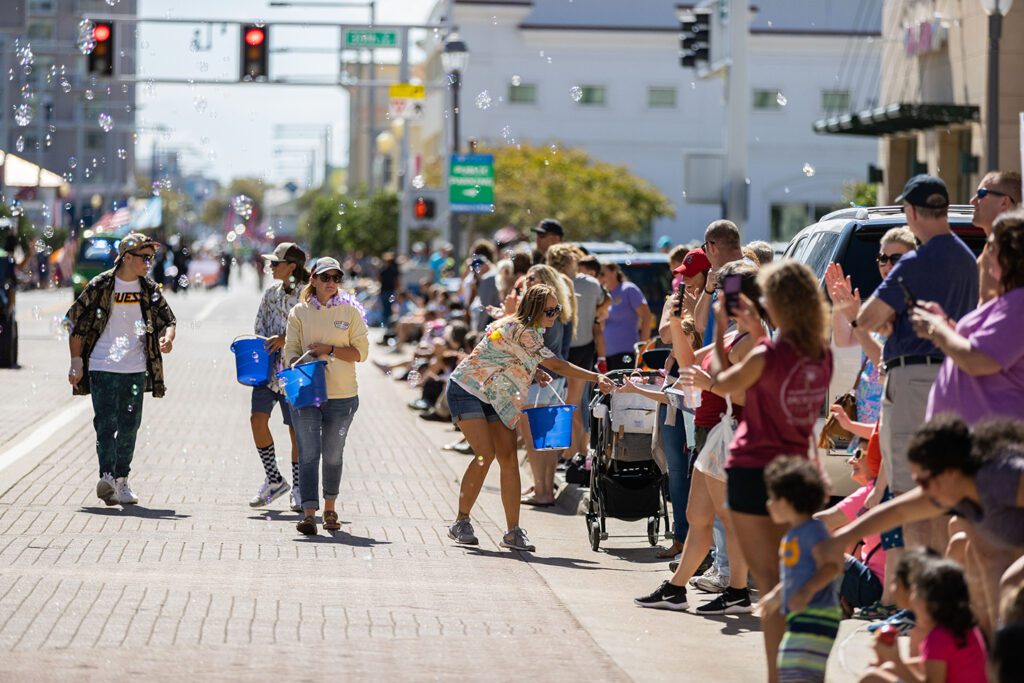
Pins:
x: 629, y: 319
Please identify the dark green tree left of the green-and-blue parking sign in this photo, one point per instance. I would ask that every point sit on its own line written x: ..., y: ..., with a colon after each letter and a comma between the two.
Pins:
x: 334, y: 224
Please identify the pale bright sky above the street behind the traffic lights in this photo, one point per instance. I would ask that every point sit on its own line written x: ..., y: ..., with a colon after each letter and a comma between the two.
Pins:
x: 229, y: 131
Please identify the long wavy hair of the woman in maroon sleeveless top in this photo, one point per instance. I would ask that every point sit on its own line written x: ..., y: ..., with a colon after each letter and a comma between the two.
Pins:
x: 799, y: 311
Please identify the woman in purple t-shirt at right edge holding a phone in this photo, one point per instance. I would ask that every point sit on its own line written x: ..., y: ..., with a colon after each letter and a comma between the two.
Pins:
x: 984, y: 374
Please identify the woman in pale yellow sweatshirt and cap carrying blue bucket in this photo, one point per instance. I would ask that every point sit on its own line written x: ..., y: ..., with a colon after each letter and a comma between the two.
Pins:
x: 330, y: 327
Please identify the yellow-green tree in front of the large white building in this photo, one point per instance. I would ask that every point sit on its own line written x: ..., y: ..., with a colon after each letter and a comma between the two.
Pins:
x: 592, y: 199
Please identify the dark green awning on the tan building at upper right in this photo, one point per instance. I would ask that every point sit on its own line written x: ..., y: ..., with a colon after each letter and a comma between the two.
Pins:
x: 898, y: 119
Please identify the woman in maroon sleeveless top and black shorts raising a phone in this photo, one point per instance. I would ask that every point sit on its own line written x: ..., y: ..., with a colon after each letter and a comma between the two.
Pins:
x: 786, y: 380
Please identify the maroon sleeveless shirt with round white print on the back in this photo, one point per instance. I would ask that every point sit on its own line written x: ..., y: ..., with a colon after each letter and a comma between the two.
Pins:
x: 782, y: 408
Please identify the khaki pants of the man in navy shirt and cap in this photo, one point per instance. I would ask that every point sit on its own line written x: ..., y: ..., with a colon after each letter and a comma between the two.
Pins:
x: 904, y: 404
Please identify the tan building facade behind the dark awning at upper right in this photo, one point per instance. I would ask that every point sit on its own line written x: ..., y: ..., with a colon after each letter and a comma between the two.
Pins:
x: 936, y: 54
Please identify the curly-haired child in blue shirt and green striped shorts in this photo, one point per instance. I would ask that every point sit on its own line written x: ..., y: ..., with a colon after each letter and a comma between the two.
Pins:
x: 807, y: 594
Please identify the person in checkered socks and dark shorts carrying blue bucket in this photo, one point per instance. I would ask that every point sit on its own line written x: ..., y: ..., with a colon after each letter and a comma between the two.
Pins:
x: 288, y: 268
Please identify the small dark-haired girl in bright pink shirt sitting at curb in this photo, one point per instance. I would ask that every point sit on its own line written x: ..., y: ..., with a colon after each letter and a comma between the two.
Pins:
x: 953, y: 651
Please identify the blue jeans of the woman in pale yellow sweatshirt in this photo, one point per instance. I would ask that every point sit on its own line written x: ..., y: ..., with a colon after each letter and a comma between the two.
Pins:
x: 321, y: 434
